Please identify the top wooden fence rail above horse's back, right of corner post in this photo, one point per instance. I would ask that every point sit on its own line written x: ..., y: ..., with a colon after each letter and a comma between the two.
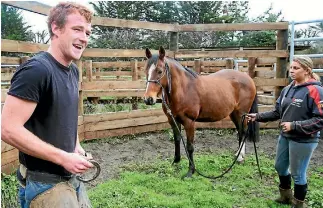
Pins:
x: 233, y: 27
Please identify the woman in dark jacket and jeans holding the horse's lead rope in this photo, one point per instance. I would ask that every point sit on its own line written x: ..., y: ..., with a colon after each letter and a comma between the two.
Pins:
x: 299, y: 107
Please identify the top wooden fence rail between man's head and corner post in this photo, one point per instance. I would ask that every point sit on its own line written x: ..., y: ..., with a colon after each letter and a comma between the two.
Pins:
x: 110, y: 22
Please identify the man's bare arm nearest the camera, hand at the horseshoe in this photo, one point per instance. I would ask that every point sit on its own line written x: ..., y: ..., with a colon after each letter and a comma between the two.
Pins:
x: 14, y: 115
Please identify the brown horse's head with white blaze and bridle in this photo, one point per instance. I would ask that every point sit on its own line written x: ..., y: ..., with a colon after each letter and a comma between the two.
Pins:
x: 156, y: 74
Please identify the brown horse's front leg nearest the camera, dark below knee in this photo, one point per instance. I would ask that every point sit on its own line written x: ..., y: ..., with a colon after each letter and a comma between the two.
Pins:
x: 189, y: 126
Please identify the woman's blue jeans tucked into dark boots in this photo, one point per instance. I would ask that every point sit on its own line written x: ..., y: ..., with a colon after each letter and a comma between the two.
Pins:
x: 293, y: 158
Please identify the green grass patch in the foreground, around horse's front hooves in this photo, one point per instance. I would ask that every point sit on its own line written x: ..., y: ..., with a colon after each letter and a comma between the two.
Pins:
x: 158, y: 185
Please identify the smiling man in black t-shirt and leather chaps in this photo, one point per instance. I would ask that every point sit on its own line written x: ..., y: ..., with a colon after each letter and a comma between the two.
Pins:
x: 40, y: 114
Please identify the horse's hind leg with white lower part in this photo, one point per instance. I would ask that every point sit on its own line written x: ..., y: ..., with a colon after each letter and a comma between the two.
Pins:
x: 236, y: 119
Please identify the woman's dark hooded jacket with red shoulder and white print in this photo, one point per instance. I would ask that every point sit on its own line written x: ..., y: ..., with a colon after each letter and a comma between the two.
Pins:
x: 303, y: 106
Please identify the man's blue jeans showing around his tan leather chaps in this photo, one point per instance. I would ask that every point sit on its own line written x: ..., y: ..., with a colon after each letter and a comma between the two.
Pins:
x: 32, y: 189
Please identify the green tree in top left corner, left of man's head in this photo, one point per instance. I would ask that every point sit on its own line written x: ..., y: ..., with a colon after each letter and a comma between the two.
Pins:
x: 13, y: 26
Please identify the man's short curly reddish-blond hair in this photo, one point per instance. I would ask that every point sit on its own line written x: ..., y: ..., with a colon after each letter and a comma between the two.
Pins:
x: 59, y: 13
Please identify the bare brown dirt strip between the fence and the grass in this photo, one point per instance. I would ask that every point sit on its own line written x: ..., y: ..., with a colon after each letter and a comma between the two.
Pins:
x: 115, y: 152
